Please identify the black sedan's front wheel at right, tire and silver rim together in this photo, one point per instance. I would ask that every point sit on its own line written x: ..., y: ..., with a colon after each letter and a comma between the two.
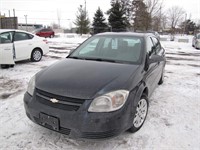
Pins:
x: 141, y: 111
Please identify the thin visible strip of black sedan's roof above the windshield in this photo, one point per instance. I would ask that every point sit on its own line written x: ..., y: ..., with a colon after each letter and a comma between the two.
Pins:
x: 125, y: 34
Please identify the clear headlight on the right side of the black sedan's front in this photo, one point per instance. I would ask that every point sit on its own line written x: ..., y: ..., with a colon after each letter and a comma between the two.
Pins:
x: 109, y: 102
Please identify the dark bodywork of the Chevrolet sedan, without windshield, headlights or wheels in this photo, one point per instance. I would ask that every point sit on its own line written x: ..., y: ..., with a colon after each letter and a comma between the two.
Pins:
x: 65, y: 91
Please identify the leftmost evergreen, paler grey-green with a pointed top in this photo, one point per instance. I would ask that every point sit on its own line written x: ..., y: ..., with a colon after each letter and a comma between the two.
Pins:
x: 82, y: 21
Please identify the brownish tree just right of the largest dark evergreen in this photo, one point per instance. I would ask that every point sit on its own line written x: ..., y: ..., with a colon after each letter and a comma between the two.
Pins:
x: 141, y: 18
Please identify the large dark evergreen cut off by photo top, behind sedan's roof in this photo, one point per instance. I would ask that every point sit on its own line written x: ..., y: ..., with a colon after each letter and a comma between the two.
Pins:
x: 117, y: 17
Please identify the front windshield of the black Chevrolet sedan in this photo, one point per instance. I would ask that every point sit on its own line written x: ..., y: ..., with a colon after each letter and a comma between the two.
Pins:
x: 121, y: 49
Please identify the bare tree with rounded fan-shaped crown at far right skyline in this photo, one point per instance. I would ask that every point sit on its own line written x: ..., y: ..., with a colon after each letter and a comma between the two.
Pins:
x: 175, y: 16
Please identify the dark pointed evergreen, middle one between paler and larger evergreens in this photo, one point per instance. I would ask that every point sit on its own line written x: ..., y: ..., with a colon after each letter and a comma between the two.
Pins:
x: 99, y: 24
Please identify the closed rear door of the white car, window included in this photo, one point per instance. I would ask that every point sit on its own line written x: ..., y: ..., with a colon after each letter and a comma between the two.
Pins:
x: 23, y: 45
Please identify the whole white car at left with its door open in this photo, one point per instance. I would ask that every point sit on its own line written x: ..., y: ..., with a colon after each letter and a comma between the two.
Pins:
x: 17, y: 45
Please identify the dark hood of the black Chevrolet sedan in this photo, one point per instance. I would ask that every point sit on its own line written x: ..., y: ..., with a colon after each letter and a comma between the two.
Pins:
x: 84, y: 79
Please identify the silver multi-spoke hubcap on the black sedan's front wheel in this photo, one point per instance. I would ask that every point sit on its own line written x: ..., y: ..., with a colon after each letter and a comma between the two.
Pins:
x: 141, y: 112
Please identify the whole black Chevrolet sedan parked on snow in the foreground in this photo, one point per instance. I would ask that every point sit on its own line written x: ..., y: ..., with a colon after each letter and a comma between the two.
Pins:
x: 101, y: 89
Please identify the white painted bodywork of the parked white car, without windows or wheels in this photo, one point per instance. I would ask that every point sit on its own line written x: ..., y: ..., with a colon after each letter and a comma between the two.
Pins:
x: 21, y: 49
